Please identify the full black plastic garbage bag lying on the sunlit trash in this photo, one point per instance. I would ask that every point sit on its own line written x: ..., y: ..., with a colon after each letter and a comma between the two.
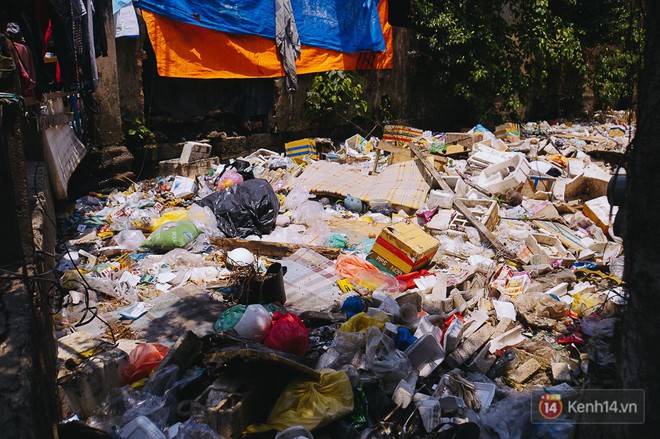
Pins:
x: 247, y: 208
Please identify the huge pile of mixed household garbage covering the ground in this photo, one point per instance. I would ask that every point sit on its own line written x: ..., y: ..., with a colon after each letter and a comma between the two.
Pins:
x: 418, y: 285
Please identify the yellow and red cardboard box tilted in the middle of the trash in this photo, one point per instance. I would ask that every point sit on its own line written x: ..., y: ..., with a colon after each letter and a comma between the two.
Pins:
x: 402, y: 248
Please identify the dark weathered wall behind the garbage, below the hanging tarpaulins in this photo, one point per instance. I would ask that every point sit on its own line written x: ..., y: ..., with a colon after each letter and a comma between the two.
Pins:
x: 182, y: 109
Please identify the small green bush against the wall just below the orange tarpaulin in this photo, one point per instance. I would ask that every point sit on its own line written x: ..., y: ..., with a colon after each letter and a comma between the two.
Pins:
x: 336, y: 93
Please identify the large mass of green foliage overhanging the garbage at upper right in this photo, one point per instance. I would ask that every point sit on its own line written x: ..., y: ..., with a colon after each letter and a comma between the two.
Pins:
x: 503, y: 54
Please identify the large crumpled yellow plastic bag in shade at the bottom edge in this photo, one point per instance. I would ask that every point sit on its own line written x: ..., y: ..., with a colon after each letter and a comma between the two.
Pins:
x: 310, y: 404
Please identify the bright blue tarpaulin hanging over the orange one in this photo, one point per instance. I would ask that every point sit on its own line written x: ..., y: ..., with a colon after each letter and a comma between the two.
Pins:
x: 346, y: 25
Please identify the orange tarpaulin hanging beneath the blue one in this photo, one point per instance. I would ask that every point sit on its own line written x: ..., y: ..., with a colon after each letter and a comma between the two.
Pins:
x: 186, y: 51
